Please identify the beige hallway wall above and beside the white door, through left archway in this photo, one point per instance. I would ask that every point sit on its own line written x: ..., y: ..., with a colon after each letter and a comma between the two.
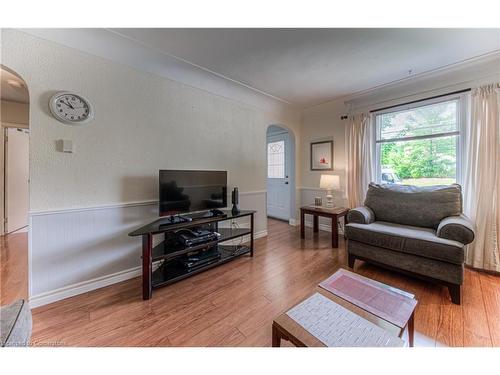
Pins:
x: 12, y: 114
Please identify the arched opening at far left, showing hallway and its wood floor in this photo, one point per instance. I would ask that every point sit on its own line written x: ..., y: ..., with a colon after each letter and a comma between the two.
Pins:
x: 14, y: 179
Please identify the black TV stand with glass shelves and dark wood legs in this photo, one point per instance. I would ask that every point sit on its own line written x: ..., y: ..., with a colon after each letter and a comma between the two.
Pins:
x: 167, y: 255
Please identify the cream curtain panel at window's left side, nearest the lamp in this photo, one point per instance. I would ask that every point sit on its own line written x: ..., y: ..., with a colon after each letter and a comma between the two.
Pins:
x: 360, y: 151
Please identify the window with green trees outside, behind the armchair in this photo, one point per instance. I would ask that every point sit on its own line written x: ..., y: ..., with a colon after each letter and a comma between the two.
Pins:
x: 420, y: 144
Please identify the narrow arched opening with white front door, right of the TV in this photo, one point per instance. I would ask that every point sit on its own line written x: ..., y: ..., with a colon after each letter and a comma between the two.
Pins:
x: 280, y: 173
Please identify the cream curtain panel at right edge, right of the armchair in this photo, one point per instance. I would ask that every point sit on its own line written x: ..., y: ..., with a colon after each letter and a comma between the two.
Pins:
x: 482, y: 177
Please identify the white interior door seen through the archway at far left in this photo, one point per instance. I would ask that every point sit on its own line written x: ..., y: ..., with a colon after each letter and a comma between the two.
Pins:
x: 16, y: 179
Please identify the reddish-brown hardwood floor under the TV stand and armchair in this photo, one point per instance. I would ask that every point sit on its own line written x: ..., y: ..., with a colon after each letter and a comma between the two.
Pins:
x: 234, y: 304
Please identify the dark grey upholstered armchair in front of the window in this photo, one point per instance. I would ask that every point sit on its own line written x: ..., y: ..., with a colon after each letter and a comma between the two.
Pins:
x: 420, y: 231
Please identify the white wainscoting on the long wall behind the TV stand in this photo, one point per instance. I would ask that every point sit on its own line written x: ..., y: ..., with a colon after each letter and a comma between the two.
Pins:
x: 77, y: 250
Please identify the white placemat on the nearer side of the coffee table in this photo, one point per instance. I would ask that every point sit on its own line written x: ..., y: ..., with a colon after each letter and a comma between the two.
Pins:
x: 336, y: 326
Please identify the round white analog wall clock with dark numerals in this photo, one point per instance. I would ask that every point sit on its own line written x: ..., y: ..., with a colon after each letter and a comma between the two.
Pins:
x: 71, y: 108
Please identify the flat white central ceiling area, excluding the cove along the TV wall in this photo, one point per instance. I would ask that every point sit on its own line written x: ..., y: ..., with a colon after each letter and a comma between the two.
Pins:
x: 311, y: 66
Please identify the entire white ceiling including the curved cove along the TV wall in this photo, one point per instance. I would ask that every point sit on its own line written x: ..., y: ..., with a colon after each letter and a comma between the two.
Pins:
x: 303, y: 67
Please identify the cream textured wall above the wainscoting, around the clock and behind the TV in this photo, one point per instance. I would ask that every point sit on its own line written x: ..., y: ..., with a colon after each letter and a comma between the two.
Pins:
x: 142, y: 123
